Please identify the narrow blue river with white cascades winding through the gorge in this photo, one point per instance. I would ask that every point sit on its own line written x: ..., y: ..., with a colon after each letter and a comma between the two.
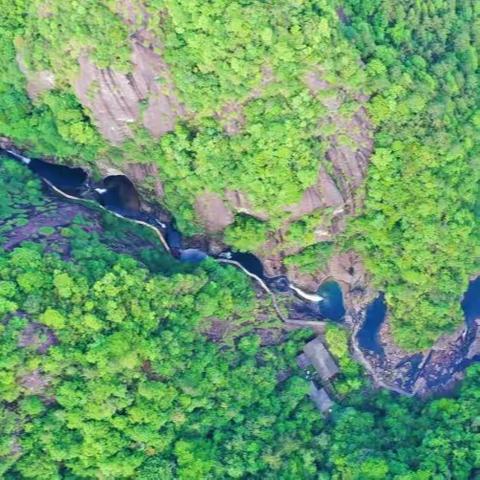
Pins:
x: 118, y: 195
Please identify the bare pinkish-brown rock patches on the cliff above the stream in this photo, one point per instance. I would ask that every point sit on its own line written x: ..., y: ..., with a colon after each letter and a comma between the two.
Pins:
x: 146, y: 97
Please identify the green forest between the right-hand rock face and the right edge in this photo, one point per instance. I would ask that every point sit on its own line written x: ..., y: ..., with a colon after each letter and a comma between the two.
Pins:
x: 419, y: 235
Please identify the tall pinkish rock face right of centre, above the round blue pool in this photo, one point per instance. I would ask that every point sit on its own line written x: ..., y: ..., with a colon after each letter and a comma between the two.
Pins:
x: 339, y: 182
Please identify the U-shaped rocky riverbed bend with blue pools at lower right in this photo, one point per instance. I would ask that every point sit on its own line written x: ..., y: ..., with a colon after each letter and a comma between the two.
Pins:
x: 433, y: 370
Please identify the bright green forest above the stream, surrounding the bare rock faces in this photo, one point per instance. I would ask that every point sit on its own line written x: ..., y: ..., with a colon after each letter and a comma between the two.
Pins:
x: 418, y: 64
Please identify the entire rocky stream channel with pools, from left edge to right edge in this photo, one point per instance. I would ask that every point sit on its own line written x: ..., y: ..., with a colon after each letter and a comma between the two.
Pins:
x: 420, y: 373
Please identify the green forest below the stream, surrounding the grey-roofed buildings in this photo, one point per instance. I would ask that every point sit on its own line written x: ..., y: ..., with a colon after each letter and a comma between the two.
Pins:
x: 106, y: 372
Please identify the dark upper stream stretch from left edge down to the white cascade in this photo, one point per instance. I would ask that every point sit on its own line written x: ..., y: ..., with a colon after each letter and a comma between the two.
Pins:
x: 117, y: 195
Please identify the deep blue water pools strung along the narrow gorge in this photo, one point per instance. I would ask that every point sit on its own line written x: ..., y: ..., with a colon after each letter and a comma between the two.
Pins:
x: 118, y: 194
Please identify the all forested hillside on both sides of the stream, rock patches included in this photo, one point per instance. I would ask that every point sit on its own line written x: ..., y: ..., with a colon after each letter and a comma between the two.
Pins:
x: 107, y: 365
